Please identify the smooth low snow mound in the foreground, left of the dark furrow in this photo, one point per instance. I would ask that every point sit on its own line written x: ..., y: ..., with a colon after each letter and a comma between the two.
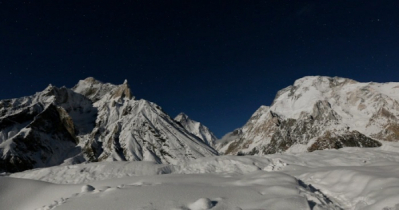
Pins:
x: 184, y: 192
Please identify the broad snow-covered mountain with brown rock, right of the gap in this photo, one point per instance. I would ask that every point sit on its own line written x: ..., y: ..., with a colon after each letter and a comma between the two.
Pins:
x: 319, y: 113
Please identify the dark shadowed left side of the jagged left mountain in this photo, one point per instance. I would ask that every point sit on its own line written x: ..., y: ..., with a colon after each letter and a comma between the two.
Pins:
x: 41, y: 130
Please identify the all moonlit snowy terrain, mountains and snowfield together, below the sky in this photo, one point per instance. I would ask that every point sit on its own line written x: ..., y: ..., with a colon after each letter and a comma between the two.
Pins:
x: 146, y: 160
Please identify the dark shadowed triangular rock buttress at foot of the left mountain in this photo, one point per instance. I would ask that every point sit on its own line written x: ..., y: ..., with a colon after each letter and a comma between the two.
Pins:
x: 46, y: 141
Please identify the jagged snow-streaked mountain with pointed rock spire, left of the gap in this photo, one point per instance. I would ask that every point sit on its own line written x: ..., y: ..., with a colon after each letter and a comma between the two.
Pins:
x: 92, y: 121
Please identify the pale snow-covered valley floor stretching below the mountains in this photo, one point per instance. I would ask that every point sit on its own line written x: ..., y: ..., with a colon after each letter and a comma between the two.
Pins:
x: 350, y: 178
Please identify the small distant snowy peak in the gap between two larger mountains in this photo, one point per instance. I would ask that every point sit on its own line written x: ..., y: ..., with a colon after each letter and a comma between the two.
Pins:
x: 196, y: 128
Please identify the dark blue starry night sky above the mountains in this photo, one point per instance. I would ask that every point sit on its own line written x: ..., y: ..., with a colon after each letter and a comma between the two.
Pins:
x: 217, y: 61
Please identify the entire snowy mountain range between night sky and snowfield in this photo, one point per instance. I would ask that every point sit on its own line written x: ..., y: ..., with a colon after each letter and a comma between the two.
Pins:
x: 95, y: 121
